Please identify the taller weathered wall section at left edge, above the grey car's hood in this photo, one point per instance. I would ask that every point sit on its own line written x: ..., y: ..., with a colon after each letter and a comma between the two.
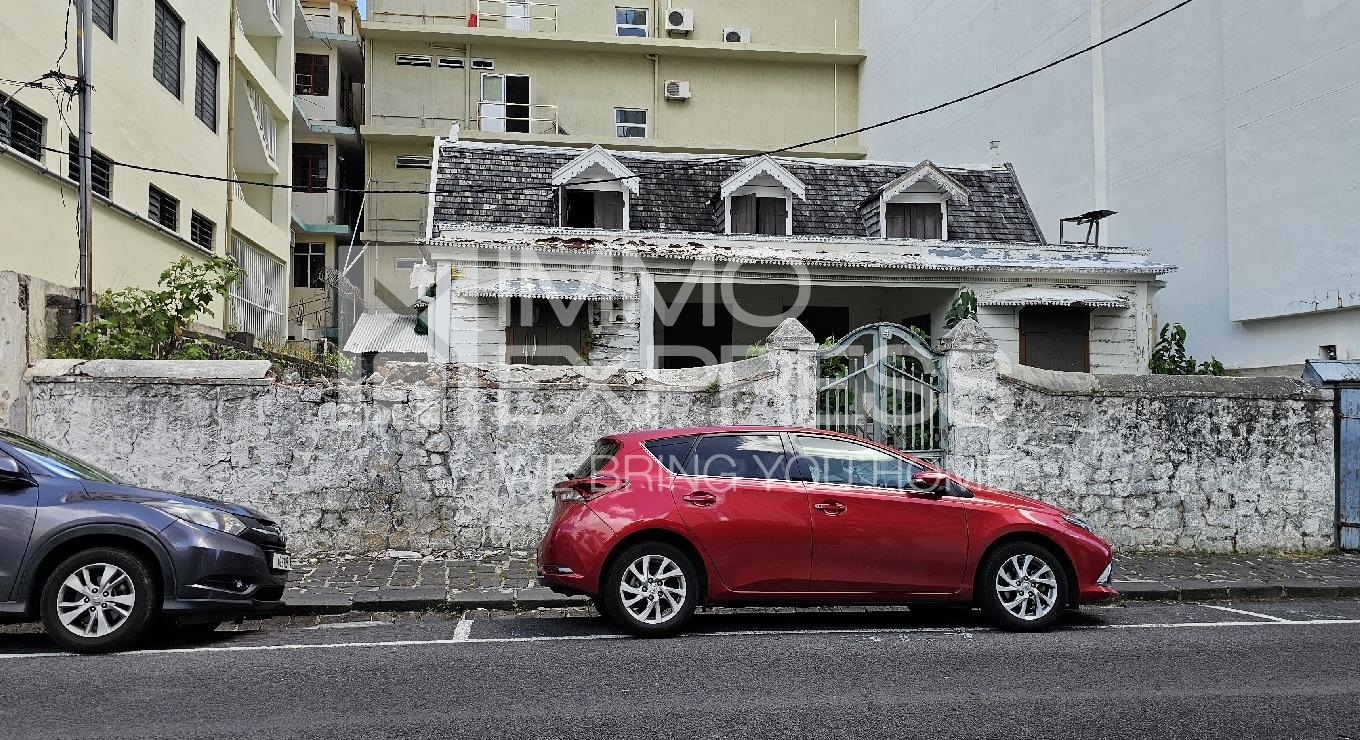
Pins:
x: 32, y: 311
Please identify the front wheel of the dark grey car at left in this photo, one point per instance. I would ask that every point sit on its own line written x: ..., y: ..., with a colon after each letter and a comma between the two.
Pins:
x: 100, y: 601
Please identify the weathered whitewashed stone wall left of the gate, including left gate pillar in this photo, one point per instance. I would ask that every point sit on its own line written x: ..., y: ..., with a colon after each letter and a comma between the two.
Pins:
x: 435, y: 458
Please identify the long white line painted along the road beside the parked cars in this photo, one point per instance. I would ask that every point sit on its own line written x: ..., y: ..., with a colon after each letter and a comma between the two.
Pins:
x: 470, y: 640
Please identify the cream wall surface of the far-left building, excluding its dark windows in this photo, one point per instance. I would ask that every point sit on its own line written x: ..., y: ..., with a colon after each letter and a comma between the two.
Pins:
x: 138, y: 122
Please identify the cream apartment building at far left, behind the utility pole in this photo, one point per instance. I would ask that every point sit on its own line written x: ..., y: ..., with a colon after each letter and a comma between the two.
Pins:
x: 180, y: 86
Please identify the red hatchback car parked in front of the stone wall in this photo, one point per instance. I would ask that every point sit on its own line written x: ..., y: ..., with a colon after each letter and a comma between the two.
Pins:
x: 656, y: 523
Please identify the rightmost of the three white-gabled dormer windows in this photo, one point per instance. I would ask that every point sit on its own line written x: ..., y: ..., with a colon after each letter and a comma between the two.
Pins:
x: 916, y: 206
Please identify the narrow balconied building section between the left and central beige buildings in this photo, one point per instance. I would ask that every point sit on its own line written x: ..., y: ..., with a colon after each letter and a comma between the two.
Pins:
x: 327, y: 154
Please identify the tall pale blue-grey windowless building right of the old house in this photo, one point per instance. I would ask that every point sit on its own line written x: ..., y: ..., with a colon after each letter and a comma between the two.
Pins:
x: 1223, y: 135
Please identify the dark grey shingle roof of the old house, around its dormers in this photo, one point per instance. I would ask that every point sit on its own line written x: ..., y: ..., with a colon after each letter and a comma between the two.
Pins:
x: 681, y: 192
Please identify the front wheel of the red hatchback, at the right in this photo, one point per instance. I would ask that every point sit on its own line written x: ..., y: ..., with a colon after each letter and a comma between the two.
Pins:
x: 1023, y: 588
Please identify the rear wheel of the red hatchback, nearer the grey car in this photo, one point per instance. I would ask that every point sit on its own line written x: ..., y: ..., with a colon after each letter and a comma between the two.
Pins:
x: 651, y: 590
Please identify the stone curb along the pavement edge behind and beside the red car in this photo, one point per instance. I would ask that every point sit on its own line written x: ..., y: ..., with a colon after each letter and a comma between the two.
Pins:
x: 436, y: 599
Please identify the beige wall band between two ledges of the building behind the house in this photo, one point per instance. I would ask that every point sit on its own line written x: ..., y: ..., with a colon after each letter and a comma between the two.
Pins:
x: 751, y: 103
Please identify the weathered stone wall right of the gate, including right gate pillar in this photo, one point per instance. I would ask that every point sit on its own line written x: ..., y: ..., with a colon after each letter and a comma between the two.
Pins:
x: 1153, y: 462
